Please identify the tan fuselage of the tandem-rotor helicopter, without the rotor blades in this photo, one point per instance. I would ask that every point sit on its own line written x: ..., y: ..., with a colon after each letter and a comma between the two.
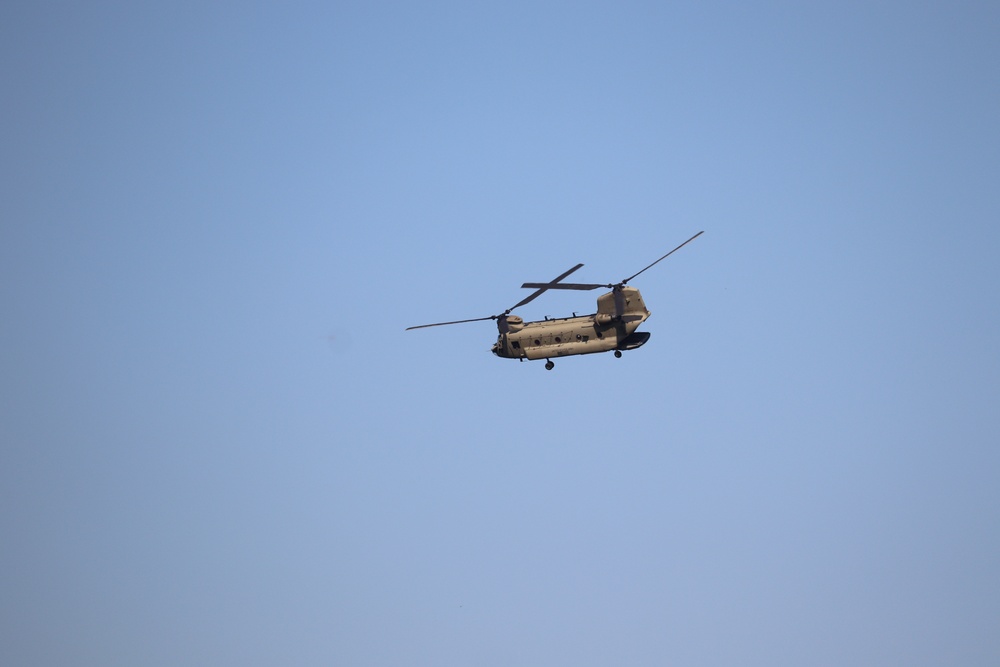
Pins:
x: 586, y: 334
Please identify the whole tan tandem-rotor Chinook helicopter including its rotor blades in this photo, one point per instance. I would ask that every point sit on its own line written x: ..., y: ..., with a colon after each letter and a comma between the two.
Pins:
x: 611, y: 328
